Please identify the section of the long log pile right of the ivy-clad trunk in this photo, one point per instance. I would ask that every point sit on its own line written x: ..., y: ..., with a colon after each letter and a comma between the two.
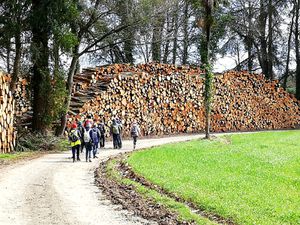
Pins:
x: 247, y: 102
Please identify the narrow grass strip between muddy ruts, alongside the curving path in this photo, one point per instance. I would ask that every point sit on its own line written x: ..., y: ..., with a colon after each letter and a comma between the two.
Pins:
x: 184, y: 212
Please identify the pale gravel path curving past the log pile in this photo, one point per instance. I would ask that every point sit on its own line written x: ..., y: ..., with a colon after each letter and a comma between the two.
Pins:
x: 54, y: 190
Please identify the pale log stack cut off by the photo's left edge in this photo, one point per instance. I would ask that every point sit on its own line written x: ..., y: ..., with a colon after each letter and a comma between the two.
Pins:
x: 7, y: 104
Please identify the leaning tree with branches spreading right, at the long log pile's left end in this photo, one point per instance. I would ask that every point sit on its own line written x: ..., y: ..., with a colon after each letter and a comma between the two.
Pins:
x: 90, y: 33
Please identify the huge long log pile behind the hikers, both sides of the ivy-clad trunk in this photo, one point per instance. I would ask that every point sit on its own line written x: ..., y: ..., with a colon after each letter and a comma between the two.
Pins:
x: 166, y: 99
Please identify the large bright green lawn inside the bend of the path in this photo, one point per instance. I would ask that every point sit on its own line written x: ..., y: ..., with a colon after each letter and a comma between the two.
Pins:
x: 251, y: 178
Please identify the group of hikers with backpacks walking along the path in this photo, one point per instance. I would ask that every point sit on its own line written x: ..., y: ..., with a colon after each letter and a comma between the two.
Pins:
x: 90, y: 136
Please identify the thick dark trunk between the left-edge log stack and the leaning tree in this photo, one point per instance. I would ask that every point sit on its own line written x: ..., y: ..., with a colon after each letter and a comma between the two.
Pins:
x: 41, y: 75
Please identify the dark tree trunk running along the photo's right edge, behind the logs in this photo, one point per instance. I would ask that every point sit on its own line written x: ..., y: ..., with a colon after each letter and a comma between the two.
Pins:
x: 297, y: 3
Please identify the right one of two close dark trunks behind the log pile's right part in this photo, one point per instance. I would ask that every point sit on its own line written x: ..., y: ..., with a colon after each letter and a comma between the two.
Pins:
x: 270, y: 43
